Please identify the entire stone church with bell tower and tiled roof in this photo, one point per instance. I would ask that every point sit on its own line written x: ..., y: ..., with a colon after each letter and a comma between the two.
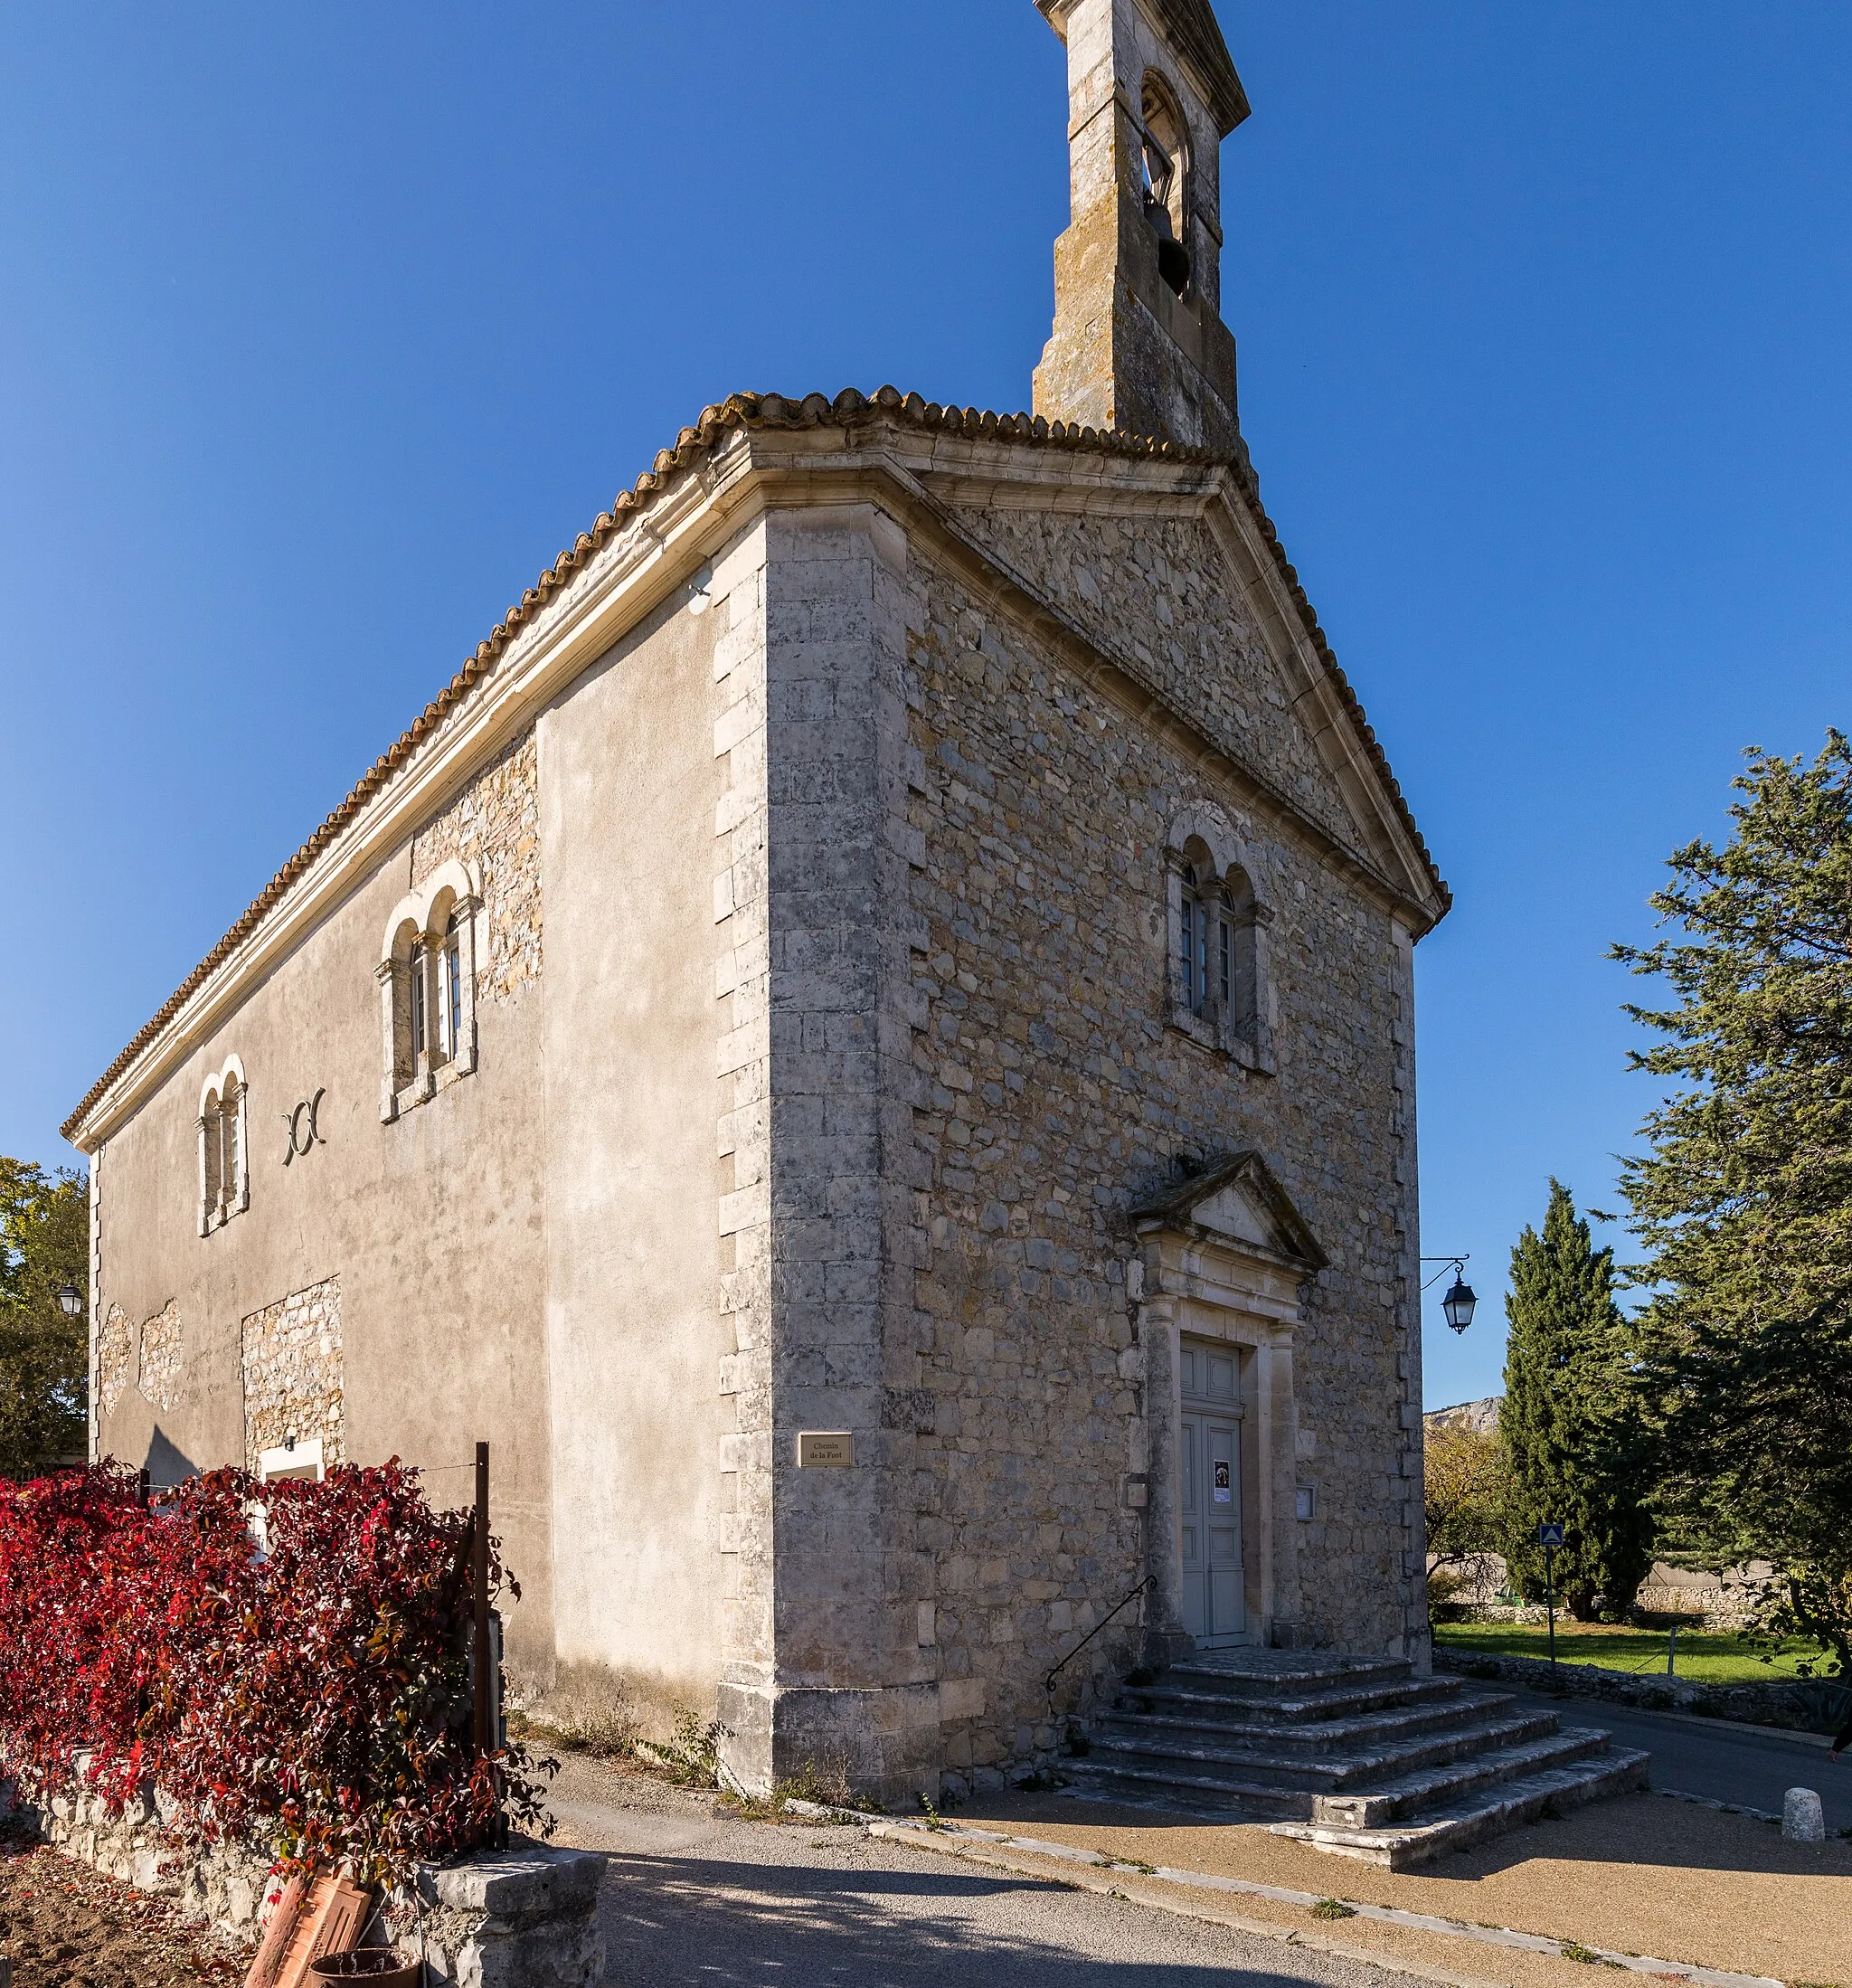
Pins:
x: 865, y: 1043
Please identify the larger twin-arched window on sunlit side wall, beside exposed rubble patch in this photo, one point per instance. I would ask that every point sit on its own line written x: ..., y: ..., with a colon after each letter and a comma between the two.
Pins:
x: 428, y: 991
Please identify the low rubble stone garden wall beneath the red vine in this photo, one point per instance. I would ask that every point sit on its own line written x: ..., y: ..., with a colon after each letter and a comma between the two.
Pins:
x: 506, y: 1919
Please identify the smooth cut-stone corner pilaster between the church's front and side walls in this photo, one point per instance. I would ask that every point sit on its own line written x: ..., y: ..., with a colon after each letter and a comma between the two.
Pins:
x: 826, y: 1653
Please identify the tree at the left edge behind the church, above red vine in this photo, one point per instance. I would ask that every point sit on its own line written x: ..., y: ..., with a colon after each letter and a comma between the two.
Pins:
x: 45, y: 1357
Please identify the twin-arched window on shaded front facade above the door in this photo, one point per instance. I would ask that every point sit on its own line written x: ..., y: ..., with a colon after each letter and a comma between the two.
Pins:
x: 1217, y: 961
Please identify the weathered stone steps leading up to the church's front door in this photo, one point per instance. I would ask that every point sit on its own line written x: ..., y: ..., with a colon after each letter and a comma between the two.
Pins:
x: 1350, y: 1754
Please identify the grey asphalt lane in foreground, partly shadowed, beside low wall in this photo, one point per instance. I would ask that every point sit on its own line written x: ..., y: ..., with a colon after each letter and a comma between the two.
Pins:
x: 706, y: 1900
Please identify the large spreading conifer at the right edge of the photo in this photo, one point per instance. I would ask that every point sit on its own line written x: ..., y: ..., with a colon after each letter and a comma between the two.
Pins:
x: 1744, y: 1196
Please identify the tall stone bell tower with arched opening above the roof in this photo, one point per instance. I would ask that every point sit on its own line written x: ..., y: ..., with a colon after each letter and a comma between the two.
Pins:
x: 1140, y: 341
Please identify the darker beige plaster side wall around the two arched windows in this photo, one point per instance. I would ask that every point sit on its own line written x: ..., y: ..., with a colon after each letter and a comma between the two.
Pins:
x: 430, y: 1226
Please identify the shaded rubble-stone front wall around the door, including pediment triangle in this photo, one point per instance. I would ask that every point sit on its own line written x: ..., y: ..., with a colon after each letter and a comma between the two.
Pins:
x: 1054, y: 1096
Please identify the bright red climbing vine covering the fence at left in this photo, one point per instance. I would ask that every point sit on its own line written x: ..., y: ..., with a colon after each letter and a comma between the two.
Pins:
x: 313, y: 1693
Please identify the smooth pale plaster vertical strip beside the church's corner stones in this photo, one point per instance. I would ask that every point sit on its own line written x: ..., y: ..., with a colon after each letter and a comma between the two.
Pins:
x: 629, y: 794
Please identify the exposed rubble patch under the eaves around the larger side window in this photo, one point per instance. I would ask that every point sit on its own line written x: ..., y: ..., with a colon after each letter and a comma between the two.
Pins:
x: 496, y: 824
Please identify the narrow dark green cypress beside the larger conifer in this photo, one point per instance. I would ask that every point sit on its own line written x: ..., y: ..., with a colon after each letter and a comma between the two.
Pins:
x: 1573, y: 1428
